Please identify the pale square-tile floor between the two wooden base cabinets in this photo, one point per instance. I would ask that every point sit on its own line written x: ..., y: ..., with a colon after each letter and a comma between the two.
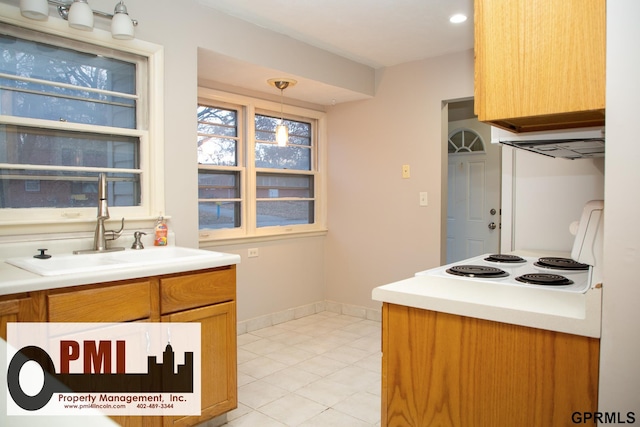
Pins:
x: 319, y: 370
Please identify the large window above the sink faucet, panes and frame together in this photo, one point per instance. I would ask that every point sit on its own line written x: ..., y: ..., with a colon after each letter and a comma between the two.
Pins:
x: 70, y: 110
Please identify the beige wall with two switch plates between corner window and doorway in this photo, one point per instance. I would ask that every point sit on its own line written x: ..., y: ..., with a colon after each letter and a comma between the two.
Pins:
x: 377, y: 231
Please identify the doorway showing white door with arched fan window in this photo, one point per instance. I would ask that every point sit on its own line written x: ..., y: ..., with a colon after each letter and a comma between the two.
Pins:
x: 472, y: 184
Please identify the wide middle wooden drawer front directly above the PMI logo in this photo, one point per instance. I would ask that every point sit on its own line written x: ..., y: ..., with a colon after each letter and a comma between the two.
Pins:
x: 117, y: 303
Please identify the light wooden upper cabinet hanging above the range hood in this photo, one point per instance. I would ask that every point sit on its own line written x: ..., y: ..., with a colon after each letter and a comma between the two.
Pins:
x: 540, y: 65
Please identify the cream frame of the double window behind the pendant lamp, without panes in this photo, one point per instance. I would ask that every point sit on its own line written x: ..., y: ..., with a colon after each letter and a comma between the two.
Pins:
x: 248, y: 230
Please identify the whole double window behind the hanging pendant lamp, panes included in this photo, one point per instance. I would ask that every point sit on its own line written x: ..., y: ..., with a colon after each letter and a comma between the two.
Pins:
x: 248, y: 186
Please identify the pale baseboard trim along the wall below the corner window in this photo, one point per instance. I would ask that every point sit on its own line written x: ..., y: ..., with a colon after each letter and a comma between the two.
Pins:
x: 272, y: 319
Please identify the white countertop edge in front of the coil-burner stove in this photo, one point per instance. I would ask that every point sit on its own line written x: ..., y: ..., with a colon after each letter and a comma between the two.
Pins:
x: 573, y: 313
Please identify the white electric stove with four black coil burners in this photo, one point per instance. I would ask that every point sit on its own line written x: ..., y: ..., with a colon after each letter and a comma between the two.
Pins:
x: 576, y: 274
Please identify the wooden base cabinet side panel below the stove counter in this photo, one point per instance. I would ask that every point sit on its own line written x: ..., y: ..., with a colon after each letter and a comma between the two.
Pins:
x: 445, y: 370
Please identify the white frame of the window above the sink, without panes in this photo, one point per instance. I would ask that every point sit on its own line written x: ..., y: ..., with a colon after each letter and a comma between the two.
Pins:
x: 150, y: 131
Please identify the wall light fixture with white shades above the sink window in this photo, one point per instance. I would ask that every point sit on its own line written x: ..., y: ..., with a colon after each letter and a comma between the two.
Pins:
x: 80, y: 15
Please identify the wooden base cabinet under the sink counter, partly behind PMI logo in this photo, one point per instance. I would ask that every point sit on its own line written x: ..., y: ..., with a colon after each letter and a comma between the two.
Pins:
x: 205, y: 296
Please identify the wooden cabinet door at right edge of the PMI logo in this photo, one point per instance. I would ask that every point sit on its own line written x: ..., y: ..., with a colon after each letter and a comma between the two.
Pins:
x: 219, y: 360
